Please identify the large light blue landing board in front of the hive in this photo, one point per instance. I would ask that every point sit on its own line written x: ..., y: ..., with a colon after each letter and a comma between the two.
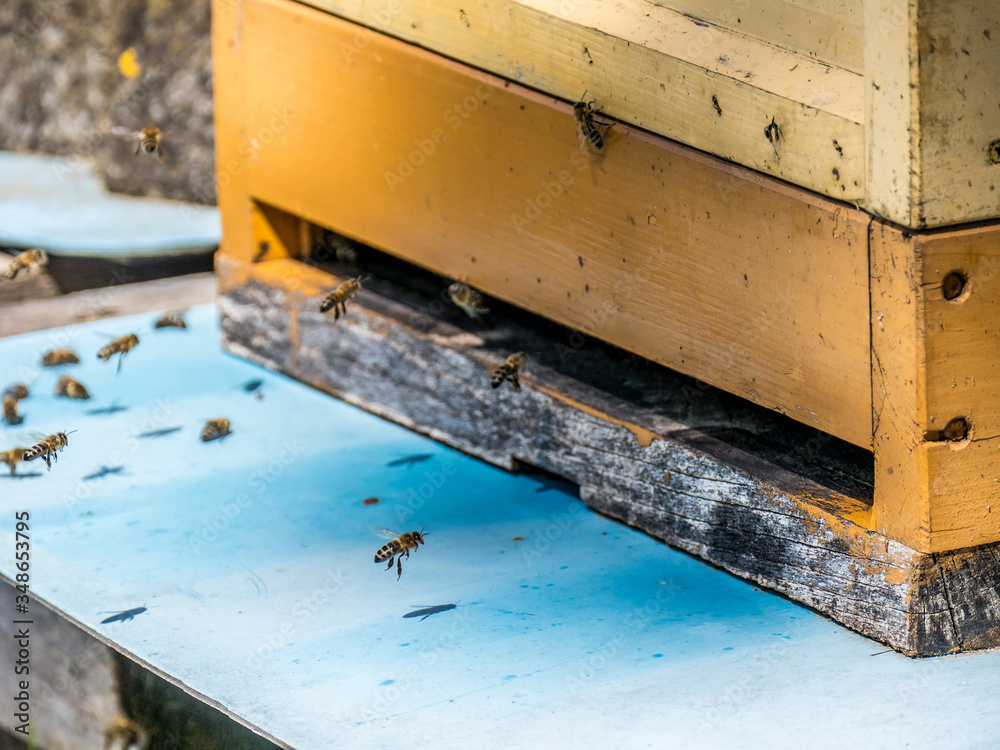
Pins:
x: 255, y: 559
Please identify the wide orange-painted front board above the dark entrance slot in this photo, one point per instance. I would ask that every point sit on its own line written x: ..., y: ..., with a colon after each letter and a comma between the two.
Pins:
x: 696, y: 264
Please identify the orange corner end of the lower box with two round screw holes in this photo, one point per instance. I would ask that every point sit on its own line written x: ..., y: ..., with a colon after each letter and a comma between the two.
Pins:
x: 936, y: 360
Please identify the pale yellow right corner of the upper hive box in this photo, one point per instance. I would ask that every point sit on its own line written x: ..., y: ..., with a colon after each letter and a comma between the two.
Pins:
x: 931, y: 111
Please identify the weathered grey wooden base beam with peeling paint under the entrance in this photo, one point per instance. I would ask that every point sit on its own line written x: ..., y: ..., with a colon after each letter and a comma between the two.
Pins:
x: 681, y: 483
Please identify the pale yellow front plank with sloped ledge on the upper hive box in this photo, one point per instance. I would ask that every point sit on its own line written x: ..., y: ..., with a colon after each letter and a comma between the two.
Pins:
x: 654, y: 68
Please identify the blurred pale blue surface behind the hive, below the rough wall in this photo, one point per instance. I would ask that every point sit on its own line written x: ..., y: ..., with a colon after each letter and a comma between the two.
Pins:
x: 59, y: 204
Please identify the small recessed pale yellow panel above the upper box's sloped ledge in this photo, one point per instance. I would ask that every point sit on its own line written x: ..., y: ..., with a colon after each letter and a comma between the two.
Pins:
x: 828, y: 30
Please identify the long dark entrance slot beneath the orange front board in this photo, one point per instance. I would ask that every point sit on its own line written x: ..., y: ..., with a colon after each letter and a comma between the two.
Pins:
x: 709, y: 412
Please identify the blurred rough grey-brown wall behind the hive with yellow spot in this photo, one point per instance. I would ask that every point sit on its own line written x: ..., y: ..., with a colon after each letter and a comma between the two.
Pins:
x: 71, y: 70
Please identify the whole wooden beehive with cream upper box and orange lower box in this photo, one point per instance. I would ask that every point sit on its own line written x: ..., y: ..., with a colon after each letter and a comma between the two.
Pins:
x: 783, y: 212
